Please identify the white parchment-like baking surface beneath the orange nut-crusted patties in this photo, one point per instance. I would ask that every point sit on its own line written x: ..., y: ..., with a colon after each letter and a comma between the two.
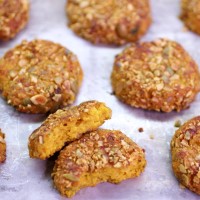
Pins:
x: 22, y: 178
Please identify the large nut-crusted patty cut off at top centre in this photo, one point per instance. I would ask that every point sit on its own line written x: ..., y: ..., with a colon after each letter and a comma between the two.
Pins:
x: 109, y: 22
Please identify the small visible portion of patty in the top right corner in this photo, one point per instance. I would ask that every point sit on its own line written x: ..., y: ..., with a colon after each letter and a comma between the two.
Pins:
x: 191, y: 14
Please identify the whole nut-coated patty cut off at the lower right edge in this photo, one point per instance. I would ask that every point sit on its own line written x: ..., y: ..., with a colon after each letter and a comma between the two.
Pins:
x: 185, y: 150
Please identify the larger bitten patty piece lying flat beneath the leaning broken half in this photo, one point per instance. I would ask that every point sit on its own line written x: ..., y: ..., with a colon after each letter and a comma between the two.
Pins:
x: 99, y: 156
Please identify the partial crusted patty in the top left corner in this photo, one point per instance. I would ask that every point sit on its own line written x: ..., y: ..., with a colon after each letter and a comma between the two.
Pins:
x: 14, y: 16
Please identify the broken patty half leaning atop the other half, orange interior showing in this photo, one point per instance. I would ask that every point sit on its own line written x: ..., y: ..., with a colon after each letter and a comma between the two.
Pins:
x: 65, y: 126
